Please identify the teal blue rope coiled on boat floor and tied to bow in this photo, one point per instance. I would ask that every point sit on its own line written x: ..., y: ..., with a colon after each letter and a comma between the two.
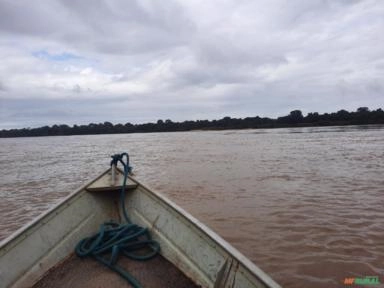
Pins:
x: 114, y: 238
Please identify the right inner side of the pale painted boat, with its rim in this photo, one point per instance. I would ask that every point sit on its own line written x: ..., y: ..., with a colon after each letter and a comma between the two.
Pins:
x: 231, y: 269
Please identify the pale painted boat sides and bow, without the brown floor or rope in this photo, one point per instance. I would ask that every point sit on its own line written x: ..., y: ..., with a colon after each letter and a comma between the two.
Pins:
x: 187, y: 243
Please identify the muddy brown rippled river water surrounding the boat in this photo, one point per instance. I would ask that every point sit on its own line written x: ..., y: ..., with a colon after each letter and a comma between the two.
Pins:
x: 305, y: 204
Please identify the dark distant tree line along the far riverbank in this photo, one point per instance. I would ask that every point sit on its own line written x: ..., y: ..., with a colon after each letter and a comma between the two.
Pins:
x: 295, y: 119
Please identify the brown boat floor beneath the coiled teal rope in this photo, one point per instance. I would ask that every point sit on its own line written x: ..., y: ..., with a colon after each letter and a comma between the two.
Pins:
x: 78, y: 272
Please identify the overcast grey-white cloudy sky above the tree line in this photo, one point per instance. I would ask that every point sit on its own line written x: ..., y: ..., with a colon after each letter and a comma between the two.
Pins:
x: 77, y: 62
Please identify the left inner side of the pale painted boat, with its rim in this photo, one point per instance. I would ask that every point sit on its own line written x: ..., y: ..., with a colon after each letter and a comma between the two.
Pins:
x: 31, y: 251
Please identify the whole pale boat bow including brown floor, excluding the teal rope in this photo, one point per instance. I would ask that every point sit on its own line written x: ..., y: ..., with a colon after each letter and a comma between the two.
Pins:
x: 189, y: 249
